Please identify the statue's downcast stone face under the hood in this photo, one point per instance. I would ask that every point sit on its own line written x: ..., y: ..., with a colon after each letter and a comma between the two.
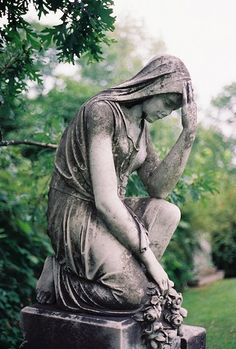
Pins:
x: 161, y: 105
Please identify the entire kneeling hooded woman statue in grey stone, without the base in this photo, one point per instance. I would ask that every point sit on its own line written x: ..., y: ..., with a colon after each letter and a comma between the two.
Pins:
x: 108, y: 247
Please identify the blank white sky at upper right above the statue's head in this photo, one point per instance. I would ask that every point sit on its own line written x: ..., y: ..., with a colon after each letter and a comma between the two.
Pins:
x: 202, y: 33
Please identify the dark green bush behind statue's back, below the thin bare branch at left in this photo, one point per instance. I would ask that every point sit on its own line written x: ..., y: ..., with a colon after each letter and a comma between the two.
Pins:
x: 23, y: 244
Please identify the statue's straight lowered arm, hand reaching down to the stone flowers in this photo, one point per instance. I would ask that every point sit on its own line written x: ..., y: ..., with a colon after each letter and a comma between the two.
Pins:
x: 104, y: 181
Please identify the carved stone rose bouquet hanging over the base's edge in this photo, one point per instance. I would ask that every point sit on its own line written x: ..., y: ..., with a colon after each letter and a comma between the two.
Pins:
x: 161, y: 317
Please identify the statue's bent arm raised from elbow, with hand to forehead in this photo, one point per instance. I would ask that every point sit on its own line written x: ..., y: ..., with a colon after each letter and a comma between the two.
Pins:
x: 160, y: 177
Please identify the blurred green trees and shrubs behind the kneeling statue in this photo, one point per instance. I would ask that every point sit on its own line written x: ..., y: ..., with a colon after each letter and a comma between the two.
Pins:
x: 41, y: 110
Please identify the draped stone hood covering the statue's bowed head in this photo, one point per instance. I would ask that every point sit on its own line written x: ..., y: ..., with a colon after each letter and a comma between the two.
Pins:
x: 163, y: 75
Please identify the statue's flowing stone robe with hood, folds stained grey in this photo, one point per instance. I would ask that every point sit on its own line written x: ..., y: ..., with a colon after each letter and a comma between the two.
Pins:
x: 92, y: 270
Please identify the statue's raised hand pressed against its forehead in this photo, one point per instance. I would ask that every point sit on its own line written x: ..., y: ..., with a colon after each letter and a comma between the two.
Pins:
x: 189, y: 108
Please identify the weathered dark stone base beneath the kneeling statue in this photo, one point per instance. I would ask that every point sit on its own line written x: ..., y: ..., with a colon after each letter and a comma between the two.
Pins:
x: 47, y: 328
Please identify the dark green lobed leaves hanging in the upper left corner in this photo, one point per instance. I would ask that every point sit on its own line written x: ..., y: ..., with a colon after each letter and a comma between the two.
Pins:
x: 81, y: 31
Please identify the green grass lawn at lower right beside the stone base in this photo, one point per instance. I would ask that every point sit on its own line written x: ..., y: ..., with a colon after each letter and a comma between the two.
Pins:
x: 214, y: 307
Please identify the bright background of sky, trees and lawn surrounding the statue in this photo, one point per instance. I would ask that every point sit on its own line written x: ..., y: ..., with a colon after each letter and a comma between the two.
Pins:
x: 203, y: 34
